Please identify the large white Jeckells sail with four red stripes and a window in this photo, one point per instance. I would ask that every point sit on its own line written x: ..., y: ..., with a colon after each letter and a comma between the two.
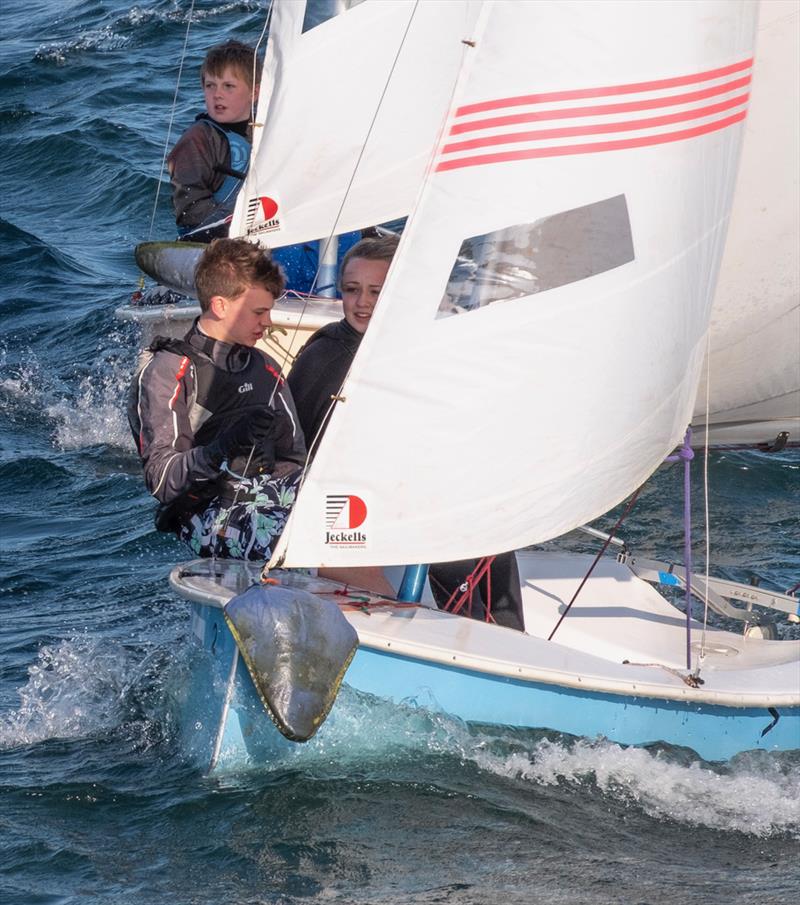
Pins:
x: 538, y: 343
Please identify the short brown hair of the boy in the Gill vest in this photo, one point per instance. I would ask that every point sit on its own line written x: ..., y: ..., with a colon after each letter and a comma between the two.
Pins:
x: 229, y: 267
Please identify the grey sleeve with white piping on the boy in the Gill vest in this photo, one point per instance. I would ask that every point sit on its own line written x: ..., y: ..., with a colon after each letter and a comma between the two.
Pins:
x: 173, y: 465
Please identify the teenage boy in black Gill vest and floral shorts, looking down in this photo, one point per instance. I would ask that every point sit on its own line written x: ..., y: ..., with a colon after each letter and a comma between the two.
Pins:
x: 212, y: 419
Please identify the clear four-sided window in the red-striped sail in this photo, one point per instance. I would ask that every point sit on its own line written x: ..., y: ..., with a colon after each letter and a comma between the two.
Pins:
x: 522, y: 260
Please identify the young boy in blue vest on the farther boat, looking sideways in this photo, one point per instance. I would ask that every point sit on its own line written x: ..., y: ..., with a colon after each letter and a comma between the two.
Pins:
x: 209, y: 161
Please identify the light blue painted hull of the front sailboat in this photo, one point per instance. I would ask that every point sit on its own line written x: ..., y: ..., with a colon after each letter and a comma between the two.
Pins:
x: 241, y: 733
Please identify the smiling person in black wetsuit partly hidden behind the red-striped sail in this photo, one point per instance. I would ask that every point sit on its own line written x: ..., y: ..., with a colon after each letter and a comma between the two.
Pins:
x: 315, y: 381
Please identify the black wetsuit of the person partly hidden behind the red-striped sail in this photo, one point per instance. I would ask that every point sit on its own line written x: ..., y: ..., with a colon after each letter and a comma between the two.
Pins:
x: 318, y: 374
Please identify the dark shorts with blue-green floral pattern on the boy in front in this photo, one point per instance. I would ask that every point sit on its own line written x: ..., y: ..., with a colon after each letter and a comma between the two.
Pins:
x: 248, y: 527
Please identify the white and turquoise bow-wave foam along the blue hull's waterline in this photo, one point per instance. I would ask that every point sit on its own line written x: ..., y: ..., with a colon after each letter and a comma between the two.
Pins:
x: 754, y: 794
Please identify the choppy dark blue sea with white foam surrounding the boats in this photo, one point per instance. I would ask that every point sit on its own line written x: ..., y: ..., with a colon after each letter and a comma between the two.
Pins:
x: 97, y: 802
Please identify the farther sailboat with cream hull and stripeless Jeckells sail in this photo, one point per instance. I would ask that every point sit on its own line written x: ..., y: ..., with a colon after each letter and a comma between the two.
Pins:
x: 310, y: 214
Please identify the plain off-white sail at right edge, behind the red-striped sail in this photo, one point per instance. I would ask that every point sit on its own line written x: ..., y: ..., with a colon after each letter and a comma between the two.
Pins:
x: 755, y: 323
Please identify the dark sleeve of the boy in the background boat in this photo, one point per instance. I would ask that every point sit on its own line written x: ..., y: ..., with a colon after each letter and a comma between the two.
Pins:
x: 193, y: 167
